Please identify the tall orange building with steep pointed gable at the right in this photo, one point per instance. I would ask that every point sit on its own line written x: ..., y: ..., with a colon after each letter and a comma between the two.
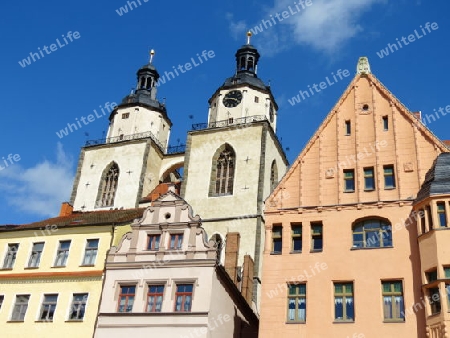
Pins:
x: 344, y: 254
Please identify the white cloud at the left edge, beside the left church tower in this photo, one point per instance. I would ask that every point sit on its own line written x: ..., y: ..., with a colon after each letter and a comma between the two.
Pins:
x: 40, y: 189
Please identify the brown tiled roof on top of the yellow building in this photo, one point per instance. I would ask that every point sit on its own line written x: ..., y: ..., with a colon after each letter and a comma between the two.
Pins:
x: 83, y: 218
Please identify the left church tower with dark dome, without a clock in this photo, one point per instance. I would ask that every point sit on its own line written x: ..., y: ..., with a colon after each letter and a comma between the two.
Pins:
x: 118, y: 171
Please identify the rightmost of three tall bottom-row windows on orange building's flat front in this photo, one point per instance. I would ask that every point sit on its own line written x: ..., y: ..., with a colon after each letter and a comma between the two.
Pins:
x: 393, y: 306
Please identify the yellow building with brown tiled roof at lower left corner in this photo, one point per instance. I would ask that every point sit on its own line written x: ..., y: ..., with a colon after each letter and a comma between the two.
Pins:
x: 51, y: 273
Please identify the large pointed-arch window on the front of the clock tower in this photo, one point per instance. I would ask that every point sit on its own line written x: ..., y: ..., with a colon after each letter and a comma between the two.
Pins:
x: 222, y: 174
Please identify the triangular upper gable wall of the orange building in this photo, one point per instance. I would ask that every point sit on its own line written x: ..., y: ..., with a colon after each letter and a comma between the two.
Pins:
x: 316, y: 176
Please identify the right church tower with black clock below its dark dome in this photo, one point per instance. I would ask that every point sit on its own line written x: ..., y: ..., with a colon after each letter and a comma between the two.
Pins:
x: 234, y: 160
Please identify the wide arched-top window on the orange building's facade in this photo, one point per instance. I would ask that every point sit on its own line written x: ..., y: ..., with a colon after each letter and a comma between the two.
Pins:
x: 372, y: 233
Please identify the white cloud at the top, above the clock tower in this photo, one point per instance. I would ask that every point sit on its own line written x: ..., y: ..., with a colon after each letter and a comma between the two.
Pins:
x: 326, y: 25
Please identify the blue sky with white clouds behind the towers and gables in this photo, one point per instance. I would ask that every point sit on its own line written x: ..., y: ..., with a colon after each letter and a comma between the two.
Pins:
x: 77, y: 76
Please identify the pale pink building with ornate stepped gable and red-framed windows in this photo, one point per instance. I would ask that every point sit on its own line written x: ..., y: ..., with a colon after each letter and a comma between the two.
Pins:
x: 165, y: 280
